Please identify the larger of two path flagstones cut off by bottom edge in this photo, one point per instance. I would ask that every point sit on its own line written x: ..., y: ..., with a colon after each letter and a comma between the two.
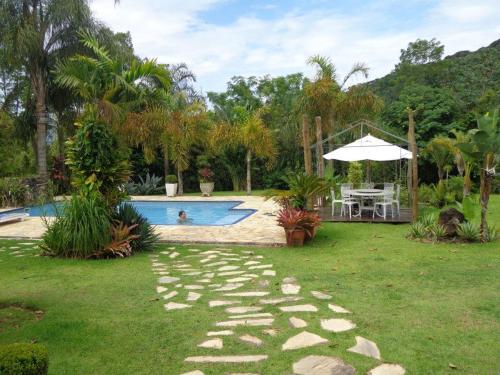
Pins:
x: 322, y: 365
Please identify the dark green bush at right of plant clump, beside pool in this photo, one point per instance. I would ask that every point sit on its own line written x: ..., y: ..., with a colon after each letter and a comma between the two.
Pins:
x: 146, y: 236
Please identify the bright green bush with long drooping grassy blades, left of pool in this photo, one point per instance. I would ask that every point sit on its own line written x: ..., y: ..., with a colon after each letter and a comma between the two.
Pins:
x: 80, y: 230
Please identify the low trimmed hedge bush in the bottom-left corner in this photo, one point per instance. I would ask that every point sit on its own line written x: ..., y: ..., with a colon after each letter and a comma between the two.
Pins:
x: 23, y: 359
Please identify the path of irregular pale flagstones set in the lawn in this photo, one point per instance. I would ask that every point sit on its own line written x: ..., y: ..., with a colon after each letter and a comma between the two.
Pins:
x: 241, y: 285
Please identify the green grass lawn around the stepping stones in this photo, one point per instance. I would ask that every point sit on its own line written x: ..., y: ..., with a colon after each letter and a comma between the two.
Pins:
x: 426, y: 306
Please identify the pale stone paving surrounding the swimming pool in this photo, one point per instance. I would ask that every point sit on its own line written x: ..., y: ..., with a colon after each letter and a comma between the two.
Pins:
x: 259, y: 228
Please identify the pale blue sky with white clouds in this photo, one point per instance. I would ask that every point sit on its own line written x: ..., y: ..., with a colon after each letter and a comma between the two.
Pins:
x: 219, y: 39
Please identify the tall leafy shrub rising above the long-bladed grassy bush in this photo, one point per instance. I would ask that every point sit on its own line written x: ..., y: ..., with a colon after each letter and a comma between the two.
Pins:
x: 97, y: 162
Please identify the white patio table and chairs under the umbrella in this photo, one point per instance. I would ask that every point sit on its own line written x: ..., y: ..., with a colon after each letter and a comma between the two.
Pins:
x: 367, y: 198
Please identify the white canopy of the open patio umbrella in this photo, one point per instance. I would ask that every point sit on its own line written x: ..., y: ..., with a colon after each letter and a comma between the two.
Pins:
x: 369, y: 148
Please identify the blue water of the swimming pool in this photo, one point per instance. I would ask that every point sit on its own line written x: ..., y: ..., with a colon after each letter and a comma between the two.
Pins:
x: 166, y: 212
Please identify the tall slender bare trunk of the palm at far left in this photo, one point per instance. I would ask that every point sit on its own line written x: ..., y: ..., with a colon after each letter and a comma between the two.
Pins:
x: 41, y: 128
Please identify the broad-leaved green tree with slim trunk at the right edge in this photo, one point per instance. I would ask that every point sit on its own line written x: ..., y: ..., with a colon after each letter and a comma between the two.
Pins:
x: 484, y: 148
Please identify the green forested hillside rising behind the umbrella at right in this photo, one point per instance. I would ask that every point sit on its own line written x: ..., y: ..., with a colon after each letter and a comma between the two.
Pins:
x: 445, y: 92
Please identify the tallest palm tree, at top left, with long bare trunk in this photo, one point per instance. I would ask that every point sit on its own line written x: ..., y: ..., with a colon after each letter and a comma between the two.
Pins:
x: 40, y: 32
